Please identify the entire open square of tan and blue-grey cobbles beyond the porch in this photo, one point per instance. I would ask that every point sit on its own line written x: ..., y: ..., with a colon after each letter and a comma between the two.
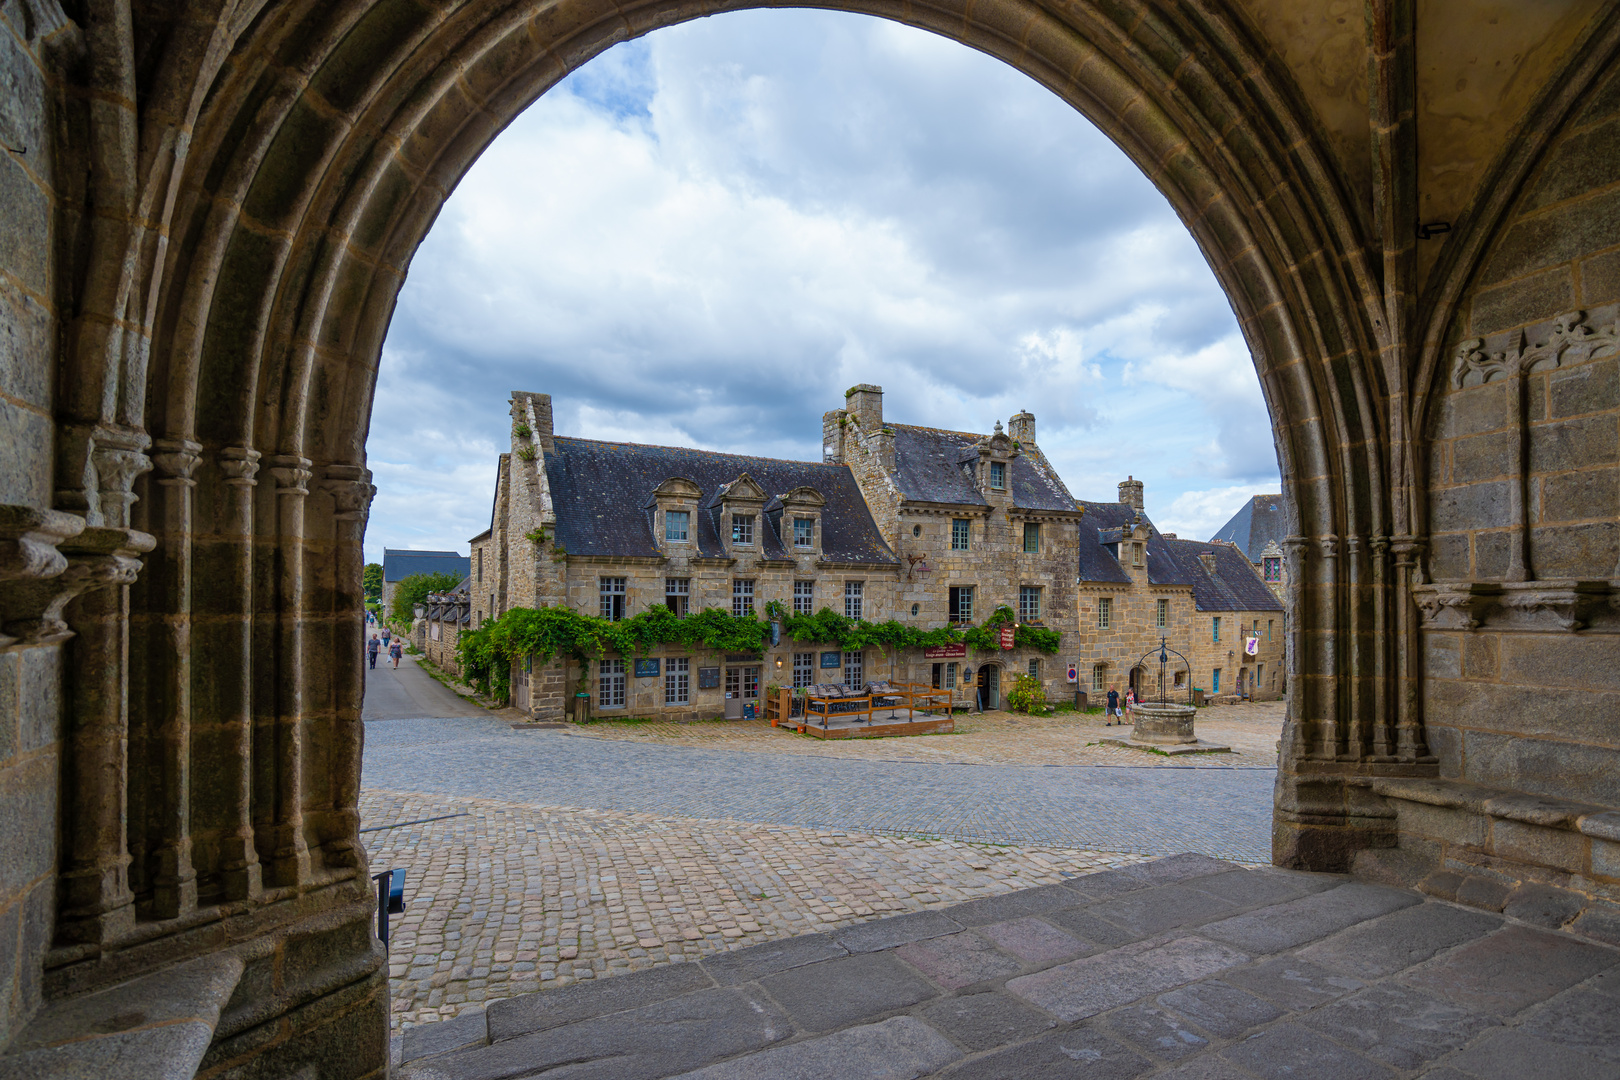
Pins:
x: 563, y: 856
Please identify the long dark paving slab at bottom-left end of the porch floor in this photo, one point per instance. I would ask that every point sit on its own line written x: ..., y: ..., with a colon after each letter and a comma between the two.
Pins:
x: 647, y: 1044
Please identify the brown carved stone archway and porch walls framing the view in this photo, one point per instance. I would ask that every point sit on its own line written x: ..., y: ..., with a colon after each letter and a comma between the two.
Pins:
x: 208, y: 216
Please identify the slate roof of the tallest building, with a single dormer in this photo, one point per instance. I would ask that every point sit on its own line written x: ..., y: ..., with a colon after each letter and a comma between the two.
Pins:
x: 929, y: 466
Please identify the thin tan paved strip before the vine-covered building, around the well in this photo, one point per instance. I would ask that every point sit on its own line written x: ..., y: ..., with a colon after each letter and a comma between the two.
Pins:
x: 984, y: 739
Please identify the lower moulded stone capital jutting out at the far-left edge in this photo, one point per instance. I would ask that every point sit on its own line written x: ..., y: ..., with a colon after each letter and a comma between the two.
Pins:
x: 96, y: 559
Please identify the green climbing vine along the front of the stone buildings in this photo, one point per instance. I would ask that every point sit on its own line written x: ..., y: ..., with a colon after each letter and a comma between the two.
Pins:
x: 545, y: 632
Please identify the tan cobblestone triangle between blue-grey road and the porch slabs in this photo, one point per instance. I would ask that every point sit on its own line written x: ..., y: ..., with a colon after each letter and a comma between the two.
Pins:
x: 508, y: 899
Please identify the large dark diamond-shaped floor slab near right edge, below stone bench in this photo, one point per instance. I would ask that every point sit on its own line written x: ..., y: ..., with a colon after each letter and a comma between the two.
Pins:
x: 1512, y: 969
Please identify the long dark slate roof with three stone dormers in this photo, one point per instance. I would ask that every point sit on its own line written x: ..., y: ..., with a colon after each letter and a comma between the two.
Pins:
x: 603, y: 498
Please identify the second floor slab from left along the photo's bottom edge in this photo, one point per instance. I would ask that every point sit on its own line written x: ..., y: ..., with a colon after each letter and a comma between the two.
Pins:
x: 900, y: 1048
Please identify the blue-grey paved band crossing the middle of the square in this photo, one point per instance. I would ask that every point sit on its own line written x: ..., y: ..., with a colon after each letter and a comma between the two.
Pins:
x: 1145, y: 810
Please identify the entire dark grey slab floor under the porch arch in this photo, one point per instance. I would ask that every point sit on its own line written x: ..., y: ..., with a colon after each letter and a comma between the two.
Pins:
x: 1122, y: 974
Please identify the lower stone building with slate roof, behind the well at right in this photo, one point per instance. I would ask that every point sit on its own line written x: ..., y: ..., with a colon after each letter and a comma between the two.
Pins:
x: 1138, y: 587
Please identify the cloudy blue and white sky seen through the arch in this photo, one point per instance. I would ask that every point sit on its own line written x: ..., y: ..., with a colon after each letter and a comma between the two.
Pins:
x: 706, y: 236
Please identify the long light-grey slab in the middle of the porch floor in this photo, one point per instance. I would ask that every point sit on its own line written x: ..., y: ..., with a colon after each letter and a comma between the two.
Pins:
x: 1083, y: 989
